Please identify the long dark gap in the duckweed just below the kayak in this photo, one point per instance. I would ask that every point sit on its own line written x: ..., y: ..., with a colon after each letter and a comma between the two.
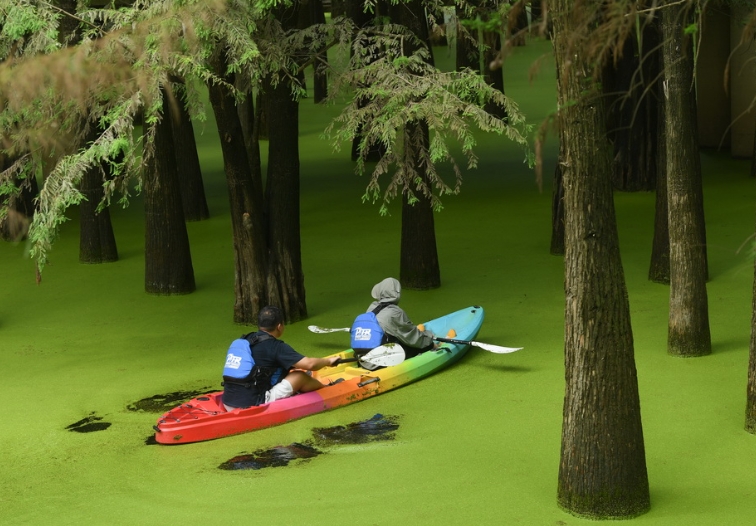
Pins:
x: 377, y: 428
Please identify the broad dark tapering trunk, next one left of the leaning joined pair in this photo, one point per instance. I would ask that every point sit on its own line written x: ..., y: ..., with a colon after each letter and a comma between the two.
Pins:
x: 168, y: 260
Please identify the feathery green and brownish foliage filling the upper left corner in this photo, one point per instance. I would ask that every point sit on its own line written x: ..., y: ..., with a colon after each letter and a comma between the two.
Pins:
x: 113, y: 73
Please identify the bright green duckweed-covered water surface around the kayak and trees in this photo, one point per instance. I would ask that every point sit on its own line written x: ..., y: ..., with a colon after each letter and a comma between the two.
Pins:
x: 478, y: 442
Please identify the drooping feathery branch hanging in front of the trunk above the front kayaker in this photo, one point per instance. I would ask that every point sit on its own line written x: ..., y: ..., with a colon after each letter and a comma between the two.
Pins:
x: 394, y: 89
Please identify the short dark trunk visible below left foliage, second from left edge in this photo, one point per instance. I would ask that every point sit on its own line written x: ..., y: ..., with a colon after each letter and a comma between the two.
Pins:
x: 96, y: 239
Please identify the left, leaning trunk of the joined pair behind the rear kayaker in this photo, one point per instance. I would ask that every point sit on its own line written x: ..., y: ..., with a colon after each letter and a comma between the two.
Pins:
x: 246, y: 202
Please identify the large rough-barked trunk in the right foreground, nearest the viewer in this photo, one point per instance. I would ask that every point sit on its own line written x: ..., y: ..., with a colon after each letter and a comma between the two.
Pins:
x: 602, y: 472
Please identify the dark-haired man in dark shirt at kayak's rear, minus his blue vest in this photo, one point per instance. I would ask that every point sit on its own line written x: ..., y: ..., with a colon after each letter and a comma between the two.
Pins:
x: 272, y: 377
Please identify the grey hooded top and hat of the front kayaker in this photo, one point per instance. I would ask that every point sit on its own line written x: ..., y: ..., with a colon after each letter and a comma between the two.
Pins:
x: 393, y: 319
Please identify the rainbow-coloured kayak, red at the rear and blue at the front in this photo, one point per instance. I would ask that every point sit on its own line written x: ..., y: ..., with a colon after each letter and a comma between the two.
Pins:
x: 205, y: 418
